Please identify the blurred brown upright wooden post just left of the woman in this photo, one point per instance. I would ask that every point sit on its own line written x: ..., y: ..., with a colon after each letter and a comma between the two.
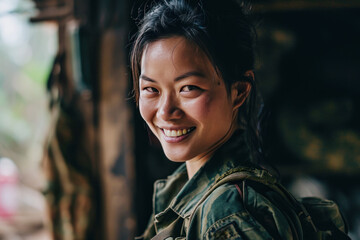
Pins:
x: 116, y: 133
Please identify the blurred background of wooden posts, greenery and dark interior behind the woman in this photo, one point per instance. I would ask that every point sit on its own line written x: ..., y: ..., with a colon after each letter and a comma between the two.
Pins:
x: 76, y: 161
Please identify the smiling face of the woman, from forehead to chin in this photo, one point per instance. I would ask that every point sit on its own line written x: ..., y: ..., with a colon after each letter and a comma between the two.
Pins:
x: 182, y: 99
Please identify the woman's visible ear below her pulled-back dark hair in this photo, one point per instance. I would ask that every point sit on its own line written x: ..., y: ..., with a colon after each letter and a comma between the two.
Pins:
x: 240, y: 90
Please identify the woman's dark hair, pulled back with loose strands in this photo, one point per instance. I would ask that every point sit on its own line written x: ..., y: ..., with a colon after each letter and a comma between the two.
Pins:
x: 223, y: 31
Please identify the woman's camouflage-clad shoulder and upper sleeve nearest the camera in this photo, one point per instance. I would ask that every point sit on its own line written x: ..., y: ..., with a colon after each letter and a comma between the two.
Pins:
x: 223, y: 215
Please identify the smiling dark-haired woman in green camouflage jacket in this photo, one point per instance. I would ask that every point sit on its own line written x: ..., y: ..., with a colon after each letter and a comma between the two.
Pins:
x: 192, y: 64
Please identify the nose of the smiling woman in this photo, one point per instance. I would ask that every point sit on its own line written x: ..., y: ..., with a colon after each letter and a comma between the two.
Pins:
x: 169, y: 109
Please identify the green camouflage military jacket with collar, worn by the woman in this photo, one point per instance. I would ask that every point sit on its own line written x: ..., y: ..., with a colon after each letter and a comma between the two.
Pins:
x: 179, y: 205
